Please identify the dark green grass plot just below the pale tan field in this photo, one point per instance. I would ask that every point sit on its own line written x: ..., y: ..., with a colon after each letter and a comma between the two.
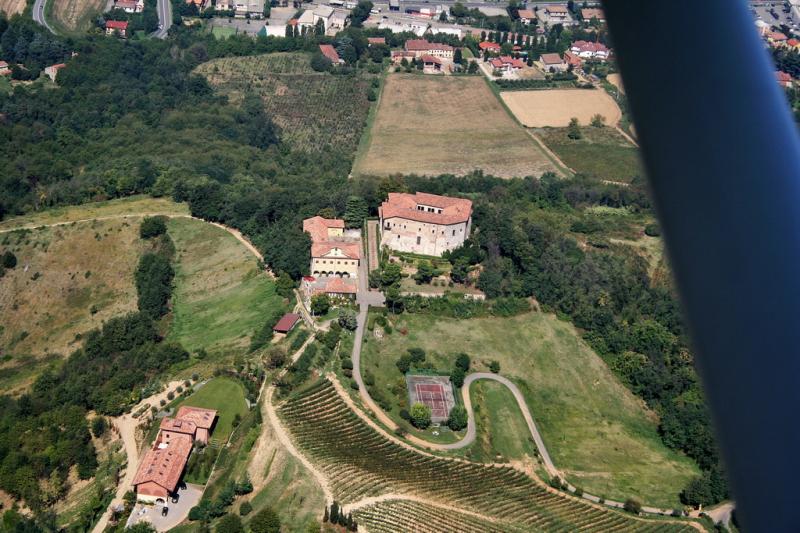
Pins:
x: 602, y: 153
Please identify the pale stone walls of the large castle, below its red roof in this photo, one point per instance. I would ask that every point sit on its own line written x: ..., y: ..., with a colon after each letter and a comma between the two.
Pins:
x: 421, y: 237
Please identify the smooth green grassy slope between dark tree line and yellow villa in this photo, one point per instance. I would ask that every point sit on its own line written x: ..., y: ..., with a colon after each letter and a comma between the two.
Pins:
x: 221, y: 297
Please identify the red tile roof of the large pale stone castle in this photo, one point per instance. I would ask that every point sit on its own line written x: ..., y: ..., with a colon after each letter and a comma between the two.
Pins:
x: 404, y: 205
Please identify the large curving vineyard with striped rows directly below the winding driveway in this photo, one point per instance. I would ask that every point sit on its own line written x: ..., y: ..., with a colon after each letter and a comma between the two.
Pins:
x: 359, y: 462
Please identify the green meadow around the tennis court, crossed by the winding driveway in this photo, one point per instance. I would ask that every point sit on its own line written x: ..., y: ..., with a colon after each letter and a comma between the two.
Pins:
x: 595, y: 429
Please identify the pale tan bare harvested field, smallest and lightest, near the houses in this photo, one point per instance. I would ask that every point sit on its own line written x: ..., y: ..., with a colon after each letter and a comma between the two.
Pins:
x: 555, y: 108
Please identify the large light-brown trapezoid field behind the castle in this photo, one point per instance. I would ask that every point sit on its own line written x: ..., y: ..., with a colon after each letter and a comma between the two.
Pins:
x: 447, y: 125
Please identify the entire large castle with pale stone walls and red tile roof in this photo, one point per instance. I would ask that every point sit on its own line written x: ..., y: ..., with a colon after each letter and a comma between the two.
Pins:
x: 424, y: 223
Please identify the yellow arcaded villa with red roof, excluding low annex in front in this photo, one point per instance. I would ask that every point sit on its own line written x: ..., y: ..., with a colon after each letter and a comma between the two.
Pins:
x: 333, y: 254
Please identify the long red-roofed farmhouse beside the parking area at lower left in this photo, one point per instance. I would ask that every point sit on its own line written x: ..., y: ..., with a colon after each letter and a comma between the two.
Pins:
x: 163, y: 465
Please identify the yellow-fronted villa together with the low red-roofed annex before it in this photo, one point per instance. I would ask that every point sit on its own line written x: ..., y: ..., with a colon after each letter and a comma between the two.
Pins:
x: 335, y: 257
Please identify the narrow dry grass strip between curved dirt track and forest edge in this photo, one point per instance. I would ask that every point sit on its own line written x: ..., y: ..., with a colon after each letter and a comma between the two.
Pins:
x: 133, y: 205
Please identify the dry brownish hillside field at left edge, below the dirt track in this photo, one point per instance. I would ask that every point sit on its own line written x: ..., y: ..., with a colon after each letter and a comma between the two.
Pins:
x: 68, y: 280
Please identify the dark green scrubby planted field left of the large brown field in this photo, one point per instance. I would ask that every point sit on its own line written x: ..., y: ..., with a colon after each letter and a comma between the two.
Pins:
x: 314, y: 110
